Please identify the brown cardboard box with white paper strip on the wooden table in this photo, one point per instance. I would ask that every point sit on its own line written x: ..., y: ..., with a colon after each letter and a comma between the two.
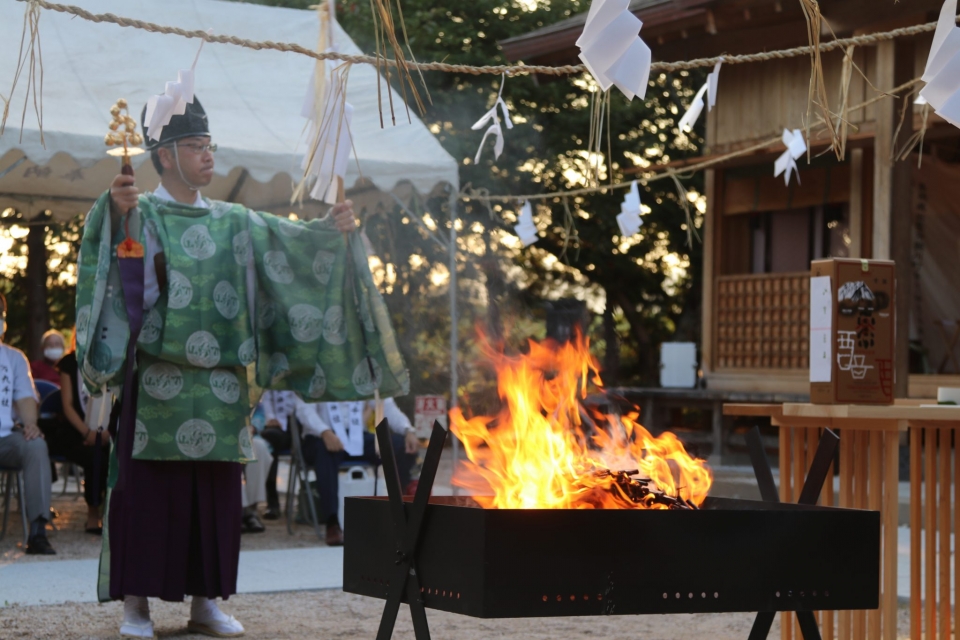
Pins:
x: 852, y: 331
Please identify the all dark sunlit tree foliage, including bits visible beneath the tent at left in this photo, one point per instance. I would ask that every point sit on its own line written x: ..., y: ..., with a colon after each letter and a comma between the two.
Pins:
x: 646, y: 284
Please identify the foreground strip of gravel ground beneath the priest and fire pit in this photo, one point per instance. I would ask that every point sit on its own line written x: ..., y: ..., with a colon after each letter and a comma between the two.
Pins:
x: 333, y: 614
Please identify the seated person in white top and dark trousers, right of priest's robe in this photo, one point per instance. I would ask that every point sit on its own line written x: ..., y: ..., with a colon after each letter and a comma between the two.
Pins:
x: 335, y: 432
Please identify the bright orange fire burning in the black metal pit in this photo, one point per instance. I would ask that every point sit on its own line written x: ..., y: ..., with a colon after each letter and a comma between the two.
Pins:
x: 547, y: 450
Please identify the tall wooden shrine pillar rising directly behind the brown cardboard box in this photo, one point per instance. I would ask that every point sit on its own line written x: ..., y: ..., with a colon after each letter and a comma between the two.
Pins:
x: 892, y: 191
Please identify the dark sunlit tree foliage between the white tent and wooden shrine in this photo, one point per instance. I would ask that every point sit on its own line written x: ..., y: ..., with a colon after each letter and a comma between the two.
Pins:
x: 580, y: 251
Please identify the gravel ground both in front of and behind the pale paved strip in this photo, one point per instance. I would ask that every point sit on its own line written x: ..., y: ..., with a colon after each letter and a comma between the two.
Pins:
x: 321, y: 614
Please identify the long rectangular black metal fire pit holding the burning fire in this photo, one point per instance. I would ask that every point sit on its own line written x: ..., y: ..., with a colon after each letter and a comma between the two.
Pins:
x: 730, y: 555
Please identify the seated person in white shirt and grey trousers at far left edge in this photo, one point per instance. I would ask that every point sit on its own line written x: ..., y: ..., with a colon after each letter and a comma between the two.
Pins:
x: 21, y: 443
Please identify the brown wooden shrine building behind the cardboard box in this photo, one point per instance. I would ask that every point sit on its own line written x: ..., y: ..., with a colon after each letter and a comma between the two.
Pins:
x: 760, y: 235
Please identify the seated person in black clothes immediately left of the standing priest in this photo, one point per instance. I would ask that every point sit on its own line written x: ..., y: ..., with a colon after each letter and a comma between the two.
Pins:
x: 73, y: 439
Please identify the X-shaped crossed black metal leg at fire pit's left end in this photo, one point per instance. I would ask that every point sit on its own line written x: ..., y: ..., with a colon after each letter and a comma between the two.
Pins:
x: 407, y: 531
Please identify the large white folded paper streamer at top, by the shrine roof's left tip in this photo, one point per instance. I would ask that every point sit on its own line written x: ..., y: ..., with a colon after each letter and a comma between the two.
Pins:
x: 611, y: 48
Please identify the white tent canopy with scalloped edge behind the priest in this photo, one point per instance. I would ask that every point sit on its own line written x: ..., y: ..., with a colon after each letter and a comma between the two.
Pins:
x: 253, y: 100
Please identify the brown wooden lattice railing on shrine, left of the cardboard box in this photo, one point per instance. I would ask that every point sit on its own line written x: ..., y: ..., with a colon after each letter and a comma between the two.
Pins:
x: 762, y: 321
